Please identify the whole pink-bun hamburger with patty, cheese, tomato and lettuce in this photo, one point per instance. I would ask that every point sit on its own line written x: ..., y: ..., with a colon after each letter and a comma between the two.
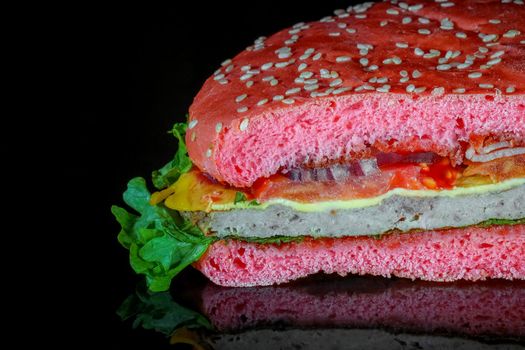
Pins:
x: 385, y: 139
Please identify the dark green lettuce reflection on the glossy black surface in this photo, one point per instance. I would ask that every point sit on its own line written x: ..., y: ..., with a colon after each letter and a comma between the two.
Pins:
x: 158, y: 311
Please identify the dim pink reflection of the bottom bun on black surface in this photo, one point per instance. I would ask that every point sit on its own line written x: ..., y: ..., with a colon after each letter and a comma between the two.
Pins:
x: 488, y: 308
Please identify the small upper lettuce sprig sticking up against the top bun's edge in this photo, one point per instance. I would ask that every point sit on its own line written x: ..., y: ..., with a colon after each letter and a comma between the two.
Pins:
x: 180, y: 164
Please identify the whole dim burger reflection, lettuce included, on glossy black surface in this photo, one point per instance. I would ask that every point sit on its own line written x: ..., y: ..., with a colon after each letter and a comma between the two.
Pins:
x: 325, y: 312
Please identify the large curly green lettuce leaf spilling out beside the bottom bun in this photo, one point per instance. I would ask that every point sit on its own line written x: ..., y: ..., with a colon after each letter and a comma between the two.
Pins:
x: 161, y: 243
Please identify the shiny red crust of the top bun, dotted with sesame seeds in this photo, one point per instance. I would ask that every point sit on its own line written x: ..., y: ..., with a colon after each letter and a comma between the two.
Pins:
x: 415, y: 48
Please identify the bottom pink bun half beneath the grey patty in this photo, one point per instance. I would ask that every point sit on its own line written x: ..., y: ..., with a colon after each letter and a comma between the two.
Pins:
x: 470, y: 253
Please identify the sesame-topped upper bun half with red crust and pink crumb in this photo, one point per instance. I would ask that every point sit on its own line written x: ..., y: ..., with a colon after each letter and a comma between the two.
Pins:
x: 240, y: 133
